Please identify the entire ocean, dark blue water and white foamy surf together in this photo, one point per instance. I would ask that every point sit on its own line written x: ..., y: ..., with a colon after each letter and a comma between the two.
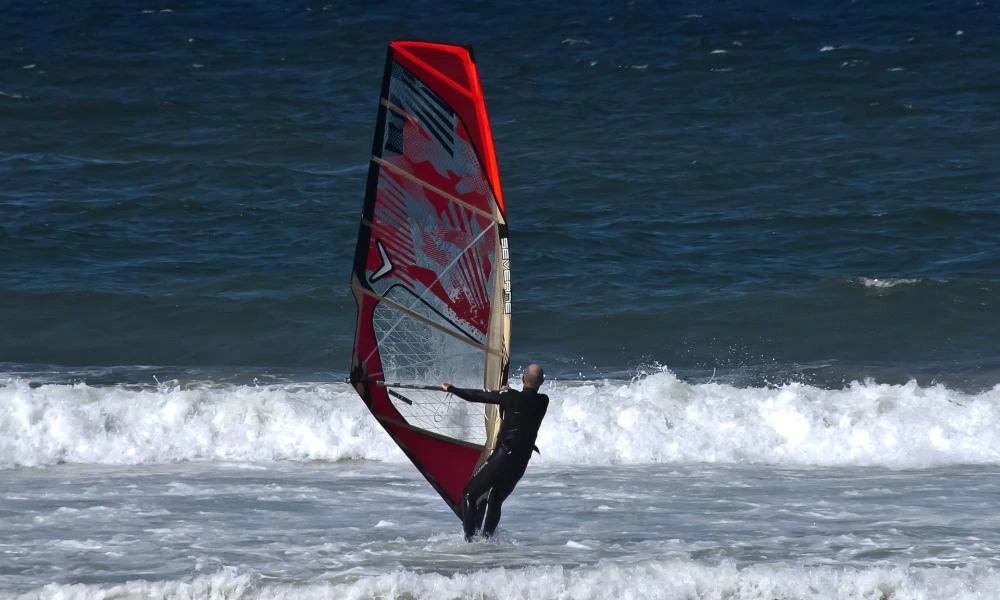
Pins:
x: 753, y: 244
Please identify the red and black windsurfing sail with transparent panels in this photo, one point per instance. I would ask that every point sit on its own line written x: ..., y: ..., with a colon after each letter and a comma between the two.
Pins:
x: 431, y: 270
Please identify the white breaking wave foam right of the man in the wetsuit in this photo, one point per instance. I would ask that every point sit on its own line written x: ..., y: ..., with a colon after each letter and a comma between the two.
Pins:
x: 662, y: 419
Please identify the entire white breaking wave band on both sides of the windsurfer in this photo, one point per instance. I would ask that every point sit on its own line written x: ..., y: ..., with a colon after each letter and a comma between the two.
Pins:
x: 654, y: 419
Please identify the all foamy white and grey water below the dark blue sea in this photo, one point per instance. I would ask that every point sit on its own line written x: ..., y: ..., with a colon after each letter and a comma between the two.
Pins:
x: 649, y: 488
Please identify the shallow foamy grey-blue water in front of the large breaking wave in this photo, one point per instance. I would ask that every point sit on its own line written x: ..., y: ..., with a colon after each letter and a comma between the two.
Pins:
x: 358, y: 529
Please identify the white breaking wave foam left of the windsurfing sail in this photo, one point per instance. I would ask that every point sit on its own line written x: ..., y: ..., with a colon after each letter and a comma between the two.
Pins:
x: 114, y: 425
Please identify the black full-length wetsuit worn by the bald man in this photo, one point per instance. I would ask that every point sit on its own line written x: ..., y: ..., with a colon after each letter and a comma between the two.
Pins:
x: 522, y: 414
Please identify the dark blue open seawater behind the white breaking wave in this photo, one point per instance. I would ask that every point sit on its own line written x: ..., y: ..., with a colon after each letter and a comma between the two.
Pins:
x: 756, y: 192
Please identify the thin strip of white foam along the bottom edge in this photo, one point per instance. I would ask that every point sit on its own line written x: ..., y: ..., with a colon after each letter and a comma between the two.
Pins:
x: 666, y: 579
